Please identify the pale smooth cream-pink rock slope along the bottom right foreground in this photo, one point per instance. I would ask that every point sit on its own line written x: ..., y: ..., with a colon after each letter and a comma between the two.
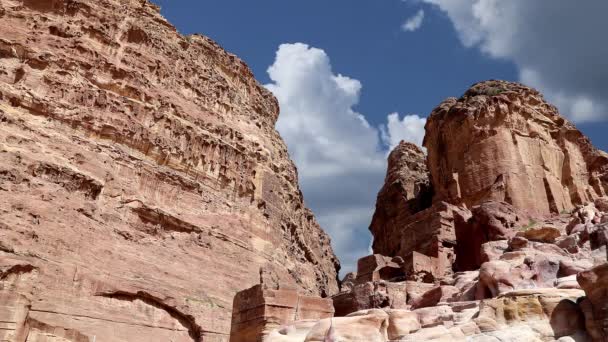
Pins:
x: 524, y: 315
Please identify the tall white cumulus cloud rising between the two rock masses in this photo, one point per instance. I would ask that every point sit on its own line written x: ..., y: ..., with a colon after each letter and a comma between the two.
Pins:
x: 341, y: 158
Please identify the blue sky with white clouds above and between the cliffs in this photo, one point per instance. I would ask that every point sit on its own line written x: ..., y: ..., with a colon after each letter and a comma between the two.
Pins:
x: 357, y: 64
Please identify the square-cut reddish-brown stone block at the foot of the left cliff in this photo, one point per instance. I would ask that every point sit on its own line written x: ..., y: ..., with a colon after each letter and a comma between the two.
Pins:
x: 258, y: 311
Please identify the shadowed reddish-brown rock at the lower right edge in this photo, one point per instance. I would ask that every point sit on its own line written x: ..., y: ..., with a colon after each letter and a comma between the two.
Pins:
x: 595, y: 284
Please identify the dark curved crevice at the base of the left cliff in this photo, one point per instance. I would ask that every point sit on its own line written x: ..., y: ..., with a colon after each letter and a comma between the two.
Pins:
x: 187, y: 321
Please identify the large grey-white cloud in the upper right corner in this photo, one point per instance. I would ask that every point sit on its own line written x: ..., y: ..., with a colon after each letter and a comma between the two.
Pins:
x: 559, y: 46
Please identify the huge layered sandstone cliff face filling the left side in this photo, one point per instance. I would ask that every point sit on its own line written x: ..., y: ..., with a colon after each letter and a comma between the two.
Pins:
x: 142, y: 181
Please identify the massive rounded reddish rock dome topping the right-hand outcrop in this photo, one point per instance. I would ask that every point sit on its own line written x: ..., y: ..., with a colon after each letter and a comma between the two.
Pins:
x: 502, y: 141
